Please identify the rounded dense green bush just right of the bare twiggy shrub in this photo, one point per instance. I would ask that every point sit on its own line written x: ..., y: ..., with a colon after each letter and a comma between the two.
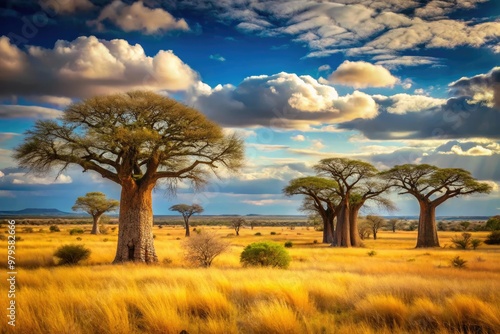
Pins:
x: 265, y: 254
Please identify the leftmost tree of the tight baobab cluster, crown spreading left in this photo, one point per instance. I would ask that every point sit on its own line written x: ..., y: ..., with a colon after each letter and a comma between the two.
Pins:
x: 320, y: 197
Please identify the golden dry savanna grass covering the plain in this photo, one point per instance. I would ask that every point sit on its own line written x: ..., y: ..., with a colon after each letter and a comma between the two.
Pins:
x: 325, y: 290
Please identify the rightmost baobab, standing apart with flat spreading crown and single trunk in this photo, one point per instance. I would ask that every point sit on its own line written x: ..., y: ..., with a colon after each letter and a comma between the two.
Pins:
x: 432, y: 186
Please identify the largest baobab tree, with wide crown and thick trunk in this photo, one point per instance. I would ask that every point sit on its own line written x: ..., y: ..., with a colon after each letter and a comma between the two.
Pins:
x: 134, y: 139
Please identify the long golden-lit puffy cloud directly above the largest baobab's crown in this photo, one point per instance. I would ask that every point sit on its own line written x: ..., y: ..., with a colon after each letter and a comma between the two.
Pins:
x: 88, y: 66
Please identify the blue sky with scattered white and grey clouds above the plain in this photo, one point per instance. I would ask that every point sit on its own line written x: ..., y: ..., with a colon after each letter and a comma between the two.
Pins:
x: 388, y: 82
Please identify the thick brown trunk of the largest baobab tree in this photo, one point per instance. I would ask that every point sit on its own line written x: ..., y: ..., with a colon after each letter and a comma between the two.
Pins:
x: 135, y: 235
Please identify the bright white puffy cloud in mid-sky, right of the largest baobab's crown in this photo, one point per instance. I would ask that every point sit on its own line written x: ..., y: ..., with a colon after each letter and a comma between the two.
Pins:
x: 283, y: 100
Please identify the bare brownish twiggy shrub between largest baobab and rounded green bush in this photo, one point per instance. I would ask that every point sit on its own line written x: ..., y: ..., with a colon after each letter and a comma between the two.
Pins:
x: 202, y: 248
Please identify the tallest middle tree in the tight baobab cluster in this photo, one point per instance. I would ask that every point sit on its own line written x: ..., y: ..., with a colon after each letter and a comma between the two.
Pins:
x: 347, y: 173
